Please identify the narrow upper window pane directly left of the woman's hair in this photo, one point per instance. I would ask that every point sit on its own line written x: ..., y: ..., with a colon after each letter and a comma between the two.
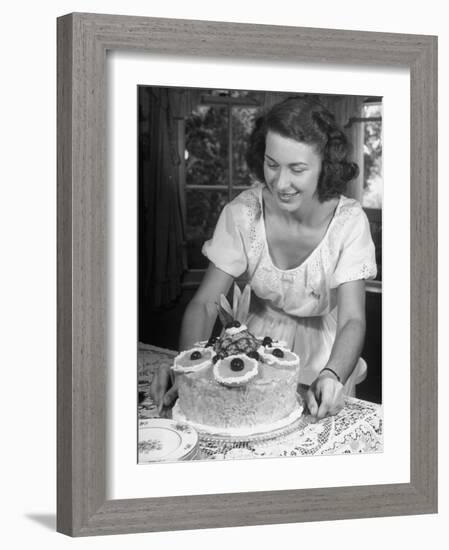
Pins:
x: 242, y: 125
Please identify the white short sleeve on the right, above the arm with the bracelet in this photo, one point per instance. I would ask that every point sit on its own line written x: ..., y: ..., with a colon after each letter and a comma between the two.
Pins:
x: 357, y: 257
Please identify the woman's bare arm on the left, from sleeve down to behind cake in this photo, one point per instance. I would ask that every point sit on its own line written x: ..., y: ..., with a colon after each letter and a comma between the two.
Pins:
x: 201, y: 313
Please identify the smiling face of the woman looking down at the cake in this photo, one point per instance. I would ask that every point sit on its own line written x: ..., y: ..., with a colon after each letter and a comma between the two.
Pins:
x: 291, y: 170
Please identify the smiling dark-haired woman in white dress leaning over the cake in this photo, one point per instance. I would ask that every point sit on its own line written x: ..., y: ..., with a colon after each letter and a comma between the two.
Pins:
x: 304, y: 248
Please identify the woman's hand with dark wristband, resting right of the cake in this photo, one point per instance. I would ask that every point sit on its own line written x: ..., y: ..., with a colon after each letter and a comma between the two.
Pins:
x: 325, y: 397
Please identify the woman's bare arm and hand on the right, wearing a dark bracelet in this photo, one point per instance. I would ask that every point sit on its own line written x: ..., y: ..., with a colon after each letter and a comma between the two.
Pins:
x: 326, y: 395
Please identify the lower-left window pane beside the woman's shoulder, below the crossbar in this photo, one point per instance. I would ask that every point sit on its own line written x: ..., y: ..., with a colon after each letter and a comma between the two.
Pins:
x: 203, y: 209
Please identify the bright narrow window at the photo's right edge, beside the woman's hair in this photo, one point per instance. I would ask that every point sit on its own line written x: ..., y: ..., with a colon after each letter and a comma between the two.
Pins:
x: 372, y: 157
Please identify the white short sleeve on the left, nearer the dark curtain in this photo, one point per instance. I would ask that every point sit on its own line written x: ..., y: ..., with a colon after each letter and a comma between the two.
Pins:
x: 226, y: 248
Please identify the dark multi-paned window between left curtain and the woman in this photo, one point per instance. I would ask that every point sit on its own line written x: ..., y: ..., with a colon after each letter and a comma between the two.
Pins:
x: 215, y: 138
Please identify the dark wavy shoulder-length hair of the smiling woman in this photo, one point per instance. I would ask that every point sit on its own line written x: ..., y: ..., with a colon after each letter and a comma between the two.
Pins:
x: 306, y: 120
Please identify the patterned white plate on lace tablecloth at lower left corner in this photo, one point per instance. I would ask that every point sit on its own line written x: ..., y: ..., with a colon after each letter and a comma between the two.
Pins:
x: 162, y: 439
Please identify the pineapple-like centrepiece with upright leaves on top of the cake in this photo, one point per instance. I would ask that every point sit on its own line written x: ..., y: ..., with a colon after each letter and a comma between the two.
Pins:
x: 236, y: 338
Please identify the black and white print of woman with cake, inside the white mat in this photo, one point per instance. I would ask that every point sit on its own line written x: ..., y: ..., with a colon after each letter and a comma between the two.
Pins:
x: 260, y: 274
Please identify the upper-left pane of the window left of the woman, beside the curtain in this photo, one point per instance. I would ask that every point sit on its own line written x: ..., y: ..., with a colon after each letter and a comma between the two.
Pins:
x: 207, y: 146
